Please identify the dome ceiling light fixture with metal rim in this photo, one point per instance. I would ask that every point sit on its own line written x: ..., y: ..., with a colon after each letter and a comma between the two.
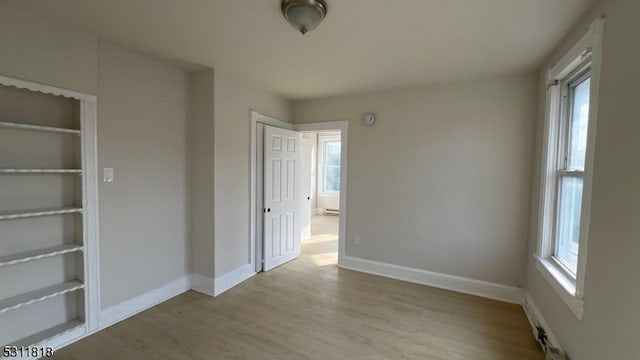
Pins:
x: 304, y: 15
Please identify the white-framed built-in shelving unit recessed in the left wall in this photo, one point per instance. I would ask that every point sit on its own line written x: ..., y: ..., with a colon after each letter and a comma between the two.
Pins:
x: 47, y: 215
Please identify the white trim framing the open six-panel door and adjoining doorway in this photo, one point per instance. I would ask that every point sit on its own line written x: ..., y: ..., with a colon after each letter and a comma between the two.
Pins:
x: 257, y: 173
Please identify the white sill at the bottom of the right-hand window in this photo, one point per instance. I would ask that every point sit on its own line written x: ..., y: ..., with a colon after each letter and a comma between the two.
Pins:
x: 562, y: 284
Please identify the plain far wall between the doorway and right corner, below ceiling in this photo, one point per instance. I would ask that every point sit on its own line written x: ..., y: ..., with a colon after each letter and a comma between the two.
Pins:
x: 441, y: 182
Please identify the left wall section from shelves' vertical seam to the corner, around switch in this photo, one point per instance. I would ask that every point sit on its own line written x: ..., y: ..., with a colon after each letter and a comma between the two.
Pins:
x: 142, y: 133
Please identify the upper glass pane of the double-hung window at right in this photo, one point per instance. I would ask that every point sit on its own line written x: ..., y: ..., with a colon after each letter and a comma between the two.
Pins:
x: 578, y: 124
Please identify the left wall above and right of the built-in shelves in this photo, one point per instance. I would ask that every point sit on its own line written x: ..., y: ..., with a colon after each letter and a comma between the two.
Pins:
x: 142, y: 132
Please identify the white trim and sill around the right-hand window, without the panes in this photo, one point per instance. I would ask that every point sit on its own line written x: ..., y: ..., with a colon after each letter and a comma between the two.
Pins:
x: 570, y: 289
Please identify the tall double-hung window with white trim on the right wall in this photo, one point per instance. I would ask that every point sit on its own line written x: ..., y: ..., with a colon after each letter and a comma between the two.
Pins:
x: 569, y: 139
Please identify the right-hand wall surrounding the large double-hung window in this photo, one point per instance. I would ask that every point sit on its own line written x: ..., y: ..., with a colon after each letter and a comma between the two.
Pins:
x: 610, y: 326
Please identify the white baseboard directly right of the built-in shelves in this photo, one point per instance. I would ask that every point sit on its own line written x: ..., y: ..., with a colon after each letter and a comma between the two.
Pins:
x: 128, y: 308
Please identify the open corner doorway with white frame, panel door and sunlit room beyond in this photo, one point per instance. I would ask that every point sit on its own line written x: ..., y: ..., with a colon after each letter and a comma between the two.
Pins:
x: 298, y: 193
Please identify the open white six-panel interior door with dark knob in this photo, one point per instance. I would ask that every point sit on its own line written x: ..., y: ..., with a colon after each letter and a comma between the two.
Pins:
x: 281, y: 196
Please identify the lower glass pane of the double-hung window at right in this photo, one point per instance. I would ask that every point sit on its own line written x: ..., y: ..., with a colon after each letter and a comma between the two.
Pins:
x: 568, y: 227
